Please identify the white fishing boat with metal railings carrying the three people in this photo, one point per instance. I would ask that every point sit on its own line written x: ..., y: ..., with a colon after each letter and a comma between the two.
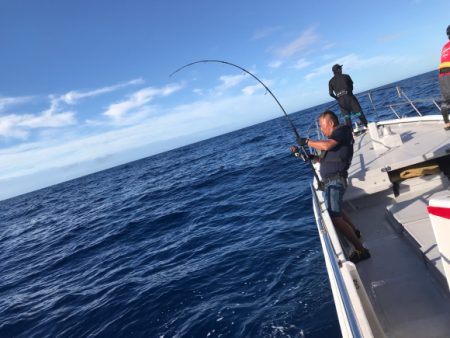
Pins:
x: 398, y: 195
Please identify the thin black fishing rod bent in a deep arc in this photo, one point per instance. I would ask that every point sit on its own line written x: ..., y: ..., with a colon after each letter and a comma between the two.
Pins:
x: 291, y: 125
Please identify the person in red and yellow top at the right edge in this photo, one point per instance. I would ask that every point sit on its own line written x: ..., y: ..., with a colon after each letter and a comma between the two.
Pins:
x: 444, y: 80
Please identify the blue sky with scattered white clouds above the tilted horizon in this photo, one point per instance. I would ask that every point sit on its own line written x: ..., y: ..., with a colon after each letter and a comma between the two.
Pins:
x: 85, y: 85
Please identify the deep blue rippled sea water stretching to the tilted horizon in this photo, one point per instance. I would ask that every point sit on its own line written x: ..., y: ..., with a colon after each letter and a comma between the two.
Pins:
x: 215, y: 239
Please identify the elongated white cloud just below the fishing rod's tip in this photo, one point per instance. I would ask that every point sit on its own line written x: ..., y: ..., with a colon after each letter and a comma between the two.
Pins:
x: 138, y: 101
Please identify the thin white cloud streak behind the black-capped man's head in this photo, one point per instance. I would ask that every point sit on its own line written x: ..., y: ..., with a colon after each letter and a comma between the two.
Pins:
x: 353, y: 61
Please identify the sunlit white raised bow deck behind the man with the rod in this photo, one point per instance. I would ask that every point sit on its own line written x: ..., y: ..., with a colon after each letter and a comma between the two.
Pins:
x: 411, y: 142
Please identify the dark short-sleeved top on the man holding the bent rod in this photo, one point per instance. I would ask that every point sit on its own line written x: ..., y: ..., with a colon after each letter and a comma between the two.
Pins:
x: 336, y: 161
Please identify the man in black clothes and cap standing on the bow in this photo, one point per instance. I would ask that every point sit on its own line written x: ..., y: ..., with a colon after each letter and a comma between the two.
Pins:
x: 341, y: 88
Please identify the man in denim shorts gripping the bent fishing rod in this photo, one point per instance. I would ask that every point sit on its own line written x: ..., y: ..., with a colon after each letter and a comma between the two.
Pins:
x: 334, y: 171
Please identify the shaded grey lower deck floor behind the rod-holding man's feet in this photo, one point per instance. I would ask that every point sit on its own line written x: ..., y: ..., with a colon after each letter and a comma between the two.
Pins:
x: 407, y: 297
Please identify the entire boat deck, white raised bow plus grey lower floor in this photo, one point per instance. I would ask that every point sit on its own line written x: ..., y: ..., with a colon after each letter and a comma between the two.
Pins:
x: 404, y: 277
